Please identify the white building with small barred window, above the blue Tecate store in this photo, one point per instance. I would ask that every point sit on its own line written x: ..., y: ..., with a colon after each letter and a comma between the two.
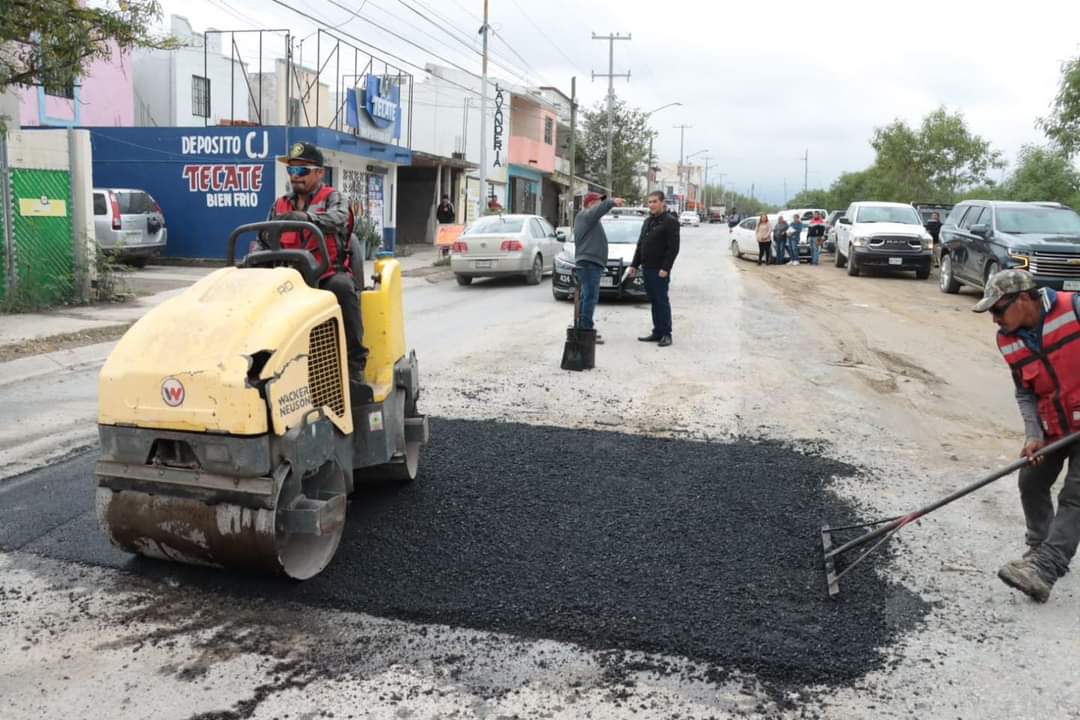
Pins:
x: 186, y: 88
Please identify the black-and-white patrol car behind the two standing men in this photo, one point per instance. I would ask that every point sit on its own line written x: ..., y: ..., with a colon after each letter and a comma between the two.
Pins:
x: 623, y: 234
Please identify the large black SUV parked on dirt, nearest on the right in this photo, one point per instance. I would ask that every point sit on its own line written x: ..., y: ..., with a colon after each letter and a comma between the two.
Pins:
x: 981, y: 237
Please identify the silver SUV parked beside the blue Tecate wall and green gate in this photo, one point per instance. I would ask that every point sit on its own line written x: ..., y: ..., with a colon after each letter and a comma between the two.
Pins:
x: 129, y: 224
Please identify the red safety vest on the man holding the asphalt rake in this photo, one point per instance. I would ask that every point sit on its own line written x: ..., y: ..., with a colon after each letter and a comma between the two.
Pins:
x: 1054, y: 375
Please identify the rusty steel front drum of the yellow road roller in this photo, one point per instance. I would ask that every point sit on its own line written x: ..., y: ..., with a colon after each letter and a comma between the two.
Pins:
x: 296, y: 538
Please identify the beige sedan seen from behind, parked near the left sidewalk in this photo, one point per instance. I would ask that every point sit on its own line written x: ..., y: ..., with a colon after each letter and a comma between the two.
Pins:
x: 502, y: 246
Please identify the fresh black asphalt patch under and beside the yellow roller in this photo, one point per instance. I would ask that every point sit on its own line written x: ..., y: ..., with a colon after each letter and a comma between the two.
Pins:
x: 706, y: 551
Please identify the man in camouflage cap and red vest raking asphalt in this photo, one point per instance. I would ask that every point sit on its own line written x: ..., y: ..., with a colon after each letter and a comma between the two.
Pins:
x: 1039, y: 337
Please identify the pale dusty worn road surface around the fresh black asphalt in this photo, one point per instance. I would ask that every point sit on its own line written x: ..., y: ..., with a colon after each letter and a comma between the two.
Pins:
x: 884, y: 373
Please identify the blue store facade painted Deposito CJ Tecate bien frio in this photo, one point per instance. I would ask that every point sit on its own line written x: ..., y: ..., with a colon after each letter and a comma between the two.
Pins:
x: 209, y: 181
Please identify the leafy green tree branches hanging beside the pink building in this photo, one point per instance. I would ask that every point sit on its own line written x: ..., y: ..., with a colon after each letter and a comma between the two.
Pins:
x: 52, y: 43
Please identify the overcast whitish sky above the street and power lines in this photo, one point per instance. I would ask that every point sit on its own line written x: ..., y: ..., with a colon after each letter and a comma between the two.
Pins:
x: 758, y: 85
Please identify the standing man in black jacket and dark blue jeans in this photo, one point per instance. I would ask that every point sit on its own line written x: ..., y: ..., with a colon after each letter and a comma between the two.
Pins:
x: 657, y: 249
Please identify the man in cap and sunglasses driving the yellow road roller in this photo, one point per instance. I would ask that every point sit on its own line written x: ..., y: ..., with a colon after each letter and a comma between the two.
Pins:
x: 313, y: 201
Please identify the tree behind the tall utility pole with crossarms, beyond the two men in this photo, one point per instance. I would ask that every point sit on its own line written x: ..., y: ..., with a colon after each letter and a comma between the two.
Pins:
x: 630, y: 147
